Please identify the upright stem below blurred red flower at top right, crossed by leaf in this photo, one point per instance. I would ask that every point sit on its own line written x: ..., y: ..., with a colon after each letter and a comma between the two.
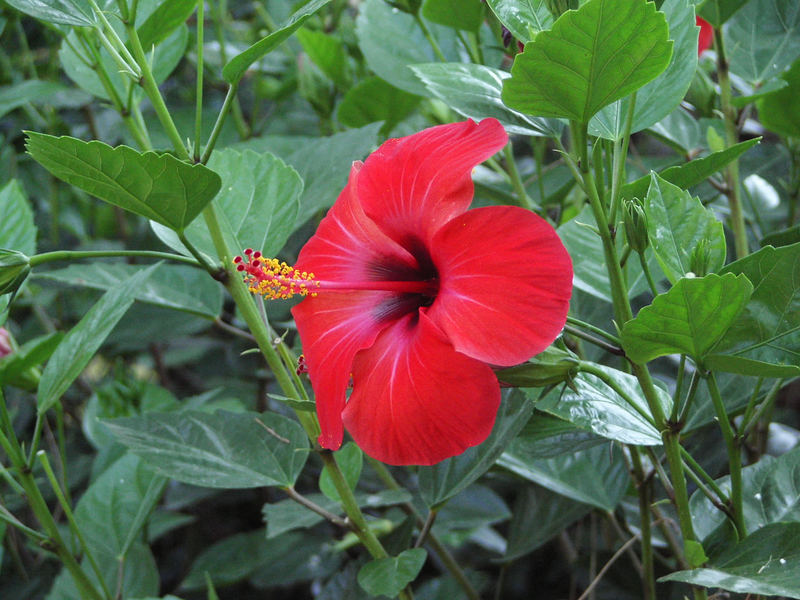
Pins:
x: 732, y: 136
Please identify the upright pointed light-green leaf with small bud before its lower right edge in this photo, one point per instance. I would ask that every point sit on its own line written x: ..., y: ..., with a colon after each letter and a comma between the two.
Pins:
x: 676, y: 225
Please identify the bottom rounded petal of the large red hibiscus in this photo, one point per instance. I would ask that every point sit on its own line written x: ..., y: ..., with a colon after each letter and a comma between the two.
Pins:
x: 415, y: 400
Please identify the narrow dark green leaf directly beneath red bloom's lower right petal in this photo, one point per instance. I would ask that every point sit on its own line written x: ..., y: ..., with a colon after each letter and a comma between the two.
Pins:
x: 444, y: 480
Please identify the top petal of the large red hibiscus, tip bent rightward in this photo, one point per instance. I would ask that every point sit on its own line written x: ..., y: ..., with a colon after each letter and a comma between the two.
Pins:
x: 411, y: 186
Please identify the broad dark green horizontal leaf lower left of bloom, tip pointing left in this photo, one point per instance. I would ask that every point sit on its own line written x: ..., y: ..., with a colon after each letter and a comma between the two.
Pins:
x: 220, y: 450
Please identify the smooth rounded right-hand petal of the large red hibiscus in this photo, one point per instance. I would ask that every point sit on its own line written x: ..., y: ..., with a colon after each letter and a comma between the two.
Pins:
x: 505, y: 284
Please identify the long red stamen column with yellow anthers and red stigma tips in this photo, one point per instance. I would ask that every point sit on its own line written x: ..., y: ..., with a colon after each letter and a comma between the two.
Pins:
x: 274, y: 279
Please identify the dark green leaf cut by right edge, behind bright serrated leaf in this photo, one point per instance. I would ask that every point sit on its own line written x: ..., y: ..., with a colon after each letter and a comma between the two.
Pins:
x: 769, y: 328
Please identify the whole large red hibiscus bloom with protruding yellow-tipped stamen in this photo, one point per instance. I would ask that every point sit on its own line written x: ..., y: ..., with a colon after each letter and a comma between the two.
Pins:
x: 412, y: 297
